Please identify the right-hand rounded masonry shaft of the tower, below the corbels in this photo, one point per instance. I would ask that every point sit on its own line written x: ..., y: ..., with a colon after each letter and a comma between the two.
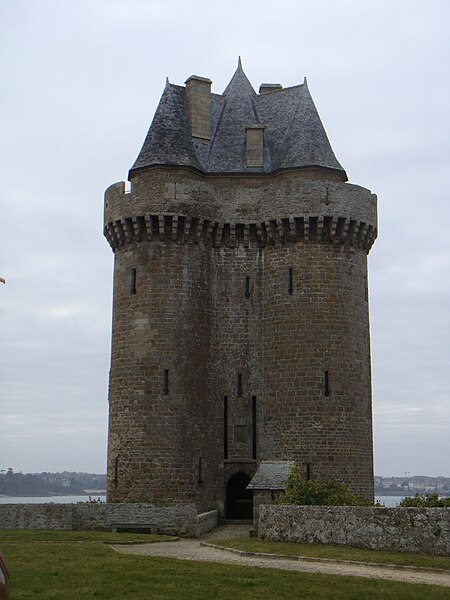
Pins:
x: 316, y: 326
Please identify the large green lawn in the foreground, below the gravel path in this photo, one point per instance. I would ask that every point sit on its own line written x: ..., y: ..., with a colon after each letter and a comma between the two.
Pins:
x: 88, y: 569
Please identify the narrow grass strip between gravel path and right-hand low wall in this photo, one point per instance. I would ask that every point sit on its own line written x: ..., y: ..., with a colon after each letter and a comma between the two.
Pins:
x: 337, y: 552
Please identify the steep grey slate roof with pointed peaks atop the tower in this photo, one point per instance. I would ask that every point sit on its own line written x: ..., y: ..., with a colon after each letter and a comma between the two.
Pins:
x: 293, y: 132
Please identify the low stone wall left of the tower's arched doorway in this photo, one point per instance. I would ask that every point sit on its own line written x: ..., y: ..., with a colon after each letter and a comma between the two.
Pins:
x: 173, y: 520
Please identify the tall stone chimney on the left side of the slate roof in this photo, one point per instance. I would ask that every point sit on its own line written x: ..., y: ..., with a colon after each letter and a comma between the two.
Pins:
x: 198, y: 96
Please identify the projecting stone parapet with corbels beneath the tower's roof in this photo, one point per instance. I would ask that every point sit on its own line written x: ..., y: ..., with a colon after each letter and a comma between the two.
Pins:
x: 175, y: 206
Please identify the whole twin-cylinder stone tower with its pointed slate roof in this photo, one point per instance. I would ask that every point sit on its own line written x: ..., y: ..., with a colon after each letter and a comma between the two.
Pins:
x: 240, y: 321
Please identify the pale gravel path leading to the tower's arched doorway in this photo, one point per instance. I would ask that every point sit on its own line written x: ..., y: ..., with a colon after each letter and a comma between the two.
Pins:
x: 188, y: 549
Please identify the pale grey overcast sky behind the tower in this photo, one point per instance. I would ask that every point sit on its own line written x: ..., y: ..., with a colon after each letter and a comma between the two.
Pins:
x: 80, y: 81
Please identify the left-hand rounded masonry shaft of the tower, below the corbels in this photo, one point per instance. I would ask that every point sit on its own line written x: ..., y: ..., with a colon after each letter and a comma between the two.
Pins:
x: 157, y: 430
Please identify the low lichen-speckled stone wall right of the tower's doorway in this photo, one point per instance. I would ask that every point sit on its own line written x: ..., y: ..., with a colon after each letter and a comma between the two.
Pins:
x: 420, y: 530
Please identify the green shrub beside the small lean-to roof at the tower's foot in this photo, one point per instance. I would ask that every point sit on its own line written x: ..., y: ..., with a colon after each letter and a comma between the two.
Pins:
x: 330, y: 493
